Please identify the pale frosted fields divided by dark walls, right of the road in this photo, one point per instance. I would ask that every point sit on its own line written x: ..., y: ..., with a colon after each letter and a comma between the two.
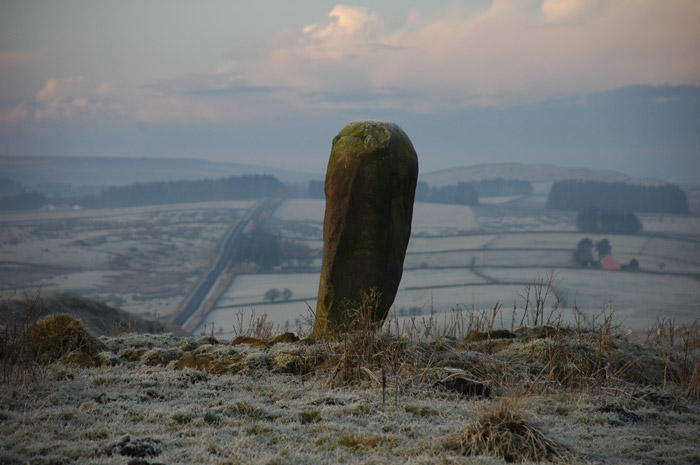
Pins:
x: 462, y: 258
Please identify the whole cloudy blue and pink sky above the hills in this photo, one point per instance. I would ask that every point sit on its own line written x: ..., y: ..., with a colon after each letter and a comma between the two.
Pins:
x: 602, y: 84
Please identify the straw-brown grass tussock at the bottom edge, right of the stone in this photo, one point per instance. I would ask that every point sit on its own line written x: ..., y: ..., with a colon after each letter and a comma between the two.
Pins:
x: 503, y: 432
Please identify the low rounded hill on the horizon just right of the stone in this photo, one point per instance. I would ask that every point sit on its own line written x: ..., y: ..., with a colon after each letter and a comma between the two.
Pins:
x: 535, y: 173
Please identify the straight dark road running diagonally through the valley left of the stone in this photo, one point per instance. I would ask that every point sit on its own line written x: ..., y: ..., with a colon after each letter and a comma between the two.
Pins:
x: 228, y: 246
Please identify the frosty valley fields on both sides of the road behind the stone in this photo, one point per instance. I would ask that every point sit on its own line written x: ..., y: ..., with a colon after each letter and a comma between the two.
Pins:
x: 147, y: 260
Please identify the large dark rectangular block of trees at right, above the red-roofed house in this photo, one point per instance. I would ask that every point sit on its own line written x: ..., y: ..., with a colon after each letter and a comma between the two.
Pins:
x: 577, y: 195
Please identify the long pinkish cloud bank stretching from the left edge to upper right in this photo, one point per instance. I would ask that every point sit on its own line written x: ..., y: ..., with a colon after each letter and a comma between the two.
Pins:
x: 350, y: 60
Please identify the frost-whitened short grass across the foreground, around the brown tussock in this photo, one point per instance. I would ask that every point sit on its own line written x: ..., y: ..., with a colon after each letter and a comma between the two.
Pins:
x: 146, y: 411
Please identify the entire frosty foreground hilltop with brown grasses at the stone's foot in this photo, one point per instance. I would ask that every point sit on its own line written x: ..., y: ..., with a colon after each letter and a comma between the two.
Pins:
x: 451, y: 391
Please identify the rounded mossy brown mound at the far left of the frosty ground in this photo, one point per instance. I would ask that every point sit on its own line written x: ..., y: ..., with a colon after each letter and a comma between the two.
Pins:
x: 57, y: 336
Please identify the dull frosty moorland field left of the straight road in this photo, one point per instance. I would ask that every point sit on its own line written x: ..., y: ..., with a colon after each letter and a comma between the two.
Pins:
x: 145, y: 259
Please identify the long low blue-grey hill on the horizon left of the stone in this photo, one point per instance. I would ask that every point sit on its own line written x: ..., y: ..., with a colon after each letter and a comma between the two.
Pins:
x: 118, y: 171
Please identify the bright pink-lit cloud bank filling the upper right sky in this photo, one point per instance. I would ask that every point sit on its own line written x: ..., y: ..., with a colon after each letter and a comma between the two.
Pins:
x: 508, y: 54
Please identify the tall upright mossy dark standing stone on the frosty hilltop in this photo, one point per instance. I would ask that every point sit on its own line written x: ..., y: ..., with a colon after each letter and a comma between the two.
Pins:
x: 370, y: 187
